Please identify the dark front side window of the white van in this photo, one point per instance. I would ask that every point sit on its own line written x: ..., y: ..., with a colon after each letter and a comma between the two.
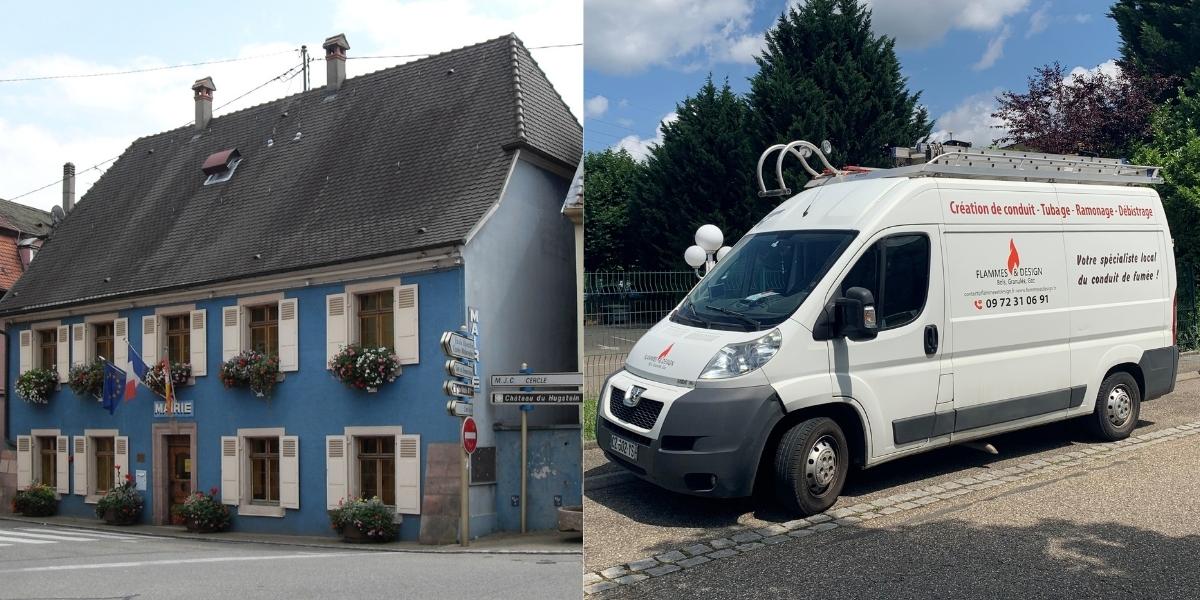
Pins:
x: 896, y: 271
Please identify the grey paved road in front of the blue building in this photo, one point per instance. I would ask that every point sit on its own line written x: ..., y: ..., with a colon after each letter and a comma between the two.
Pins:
x: 43, y: 562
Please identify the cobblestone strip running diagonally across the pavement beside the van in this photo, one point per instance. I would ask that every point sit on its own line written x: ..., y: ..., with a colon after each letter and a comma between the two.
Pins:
x: 749, y: 541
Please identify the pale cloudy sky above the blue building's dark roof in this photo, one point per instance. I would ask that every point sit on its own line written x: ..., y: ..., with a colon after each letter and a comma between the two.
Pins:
x: 45, y: 124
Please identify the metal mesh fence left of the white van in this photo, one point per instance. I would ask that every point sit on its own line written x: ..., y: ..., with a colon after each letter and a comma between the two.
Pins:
x: 619, y: 308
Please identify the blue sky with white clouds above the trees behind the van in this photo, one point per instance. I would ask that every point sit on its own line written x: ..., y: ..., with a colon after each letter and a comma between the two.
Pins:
x: 644, y: 57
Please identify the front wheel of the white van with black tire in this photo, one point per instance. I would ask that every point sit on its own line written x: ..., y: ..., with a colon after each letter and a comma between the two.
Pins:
x: 812, y: 461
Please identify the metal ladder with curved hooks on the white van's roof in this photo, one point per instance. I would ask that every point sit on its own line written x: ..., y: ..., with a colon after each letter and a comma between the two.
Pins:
x: 955, y: 161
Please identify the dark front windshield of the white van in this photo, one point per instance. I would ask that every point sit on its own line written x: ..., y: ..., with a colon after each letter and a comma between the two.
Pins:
x: 763, y: 281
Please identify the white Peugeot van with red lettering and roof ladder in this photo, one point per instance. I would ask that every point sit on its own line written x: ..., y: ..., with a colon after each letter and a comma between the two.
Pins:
x: 885, y: 314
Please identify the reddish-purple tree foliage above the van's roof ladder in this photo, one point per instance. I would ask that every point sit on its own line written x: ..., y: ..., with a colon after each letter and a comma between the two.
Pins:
x: 1077, y: 113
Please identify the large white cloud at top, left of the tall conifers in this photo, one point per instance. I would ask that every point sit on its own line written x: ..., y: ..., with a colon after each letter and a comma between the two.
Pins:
x: 629, y: 37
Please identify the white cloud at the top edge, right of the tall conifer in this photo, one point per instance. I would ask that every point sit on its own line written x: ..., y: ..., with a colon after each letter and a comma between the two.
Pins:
x: 917, y: 25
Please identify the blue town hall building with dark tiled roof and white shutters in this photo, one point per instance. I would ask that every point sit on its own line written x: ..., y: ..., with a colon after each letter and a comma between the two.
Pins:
x: 380, y: 211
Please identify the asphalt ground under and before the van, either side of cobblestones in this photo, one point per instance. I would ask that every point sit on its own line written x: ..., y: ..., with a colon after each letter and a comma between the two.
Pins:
x: 1097, y: 524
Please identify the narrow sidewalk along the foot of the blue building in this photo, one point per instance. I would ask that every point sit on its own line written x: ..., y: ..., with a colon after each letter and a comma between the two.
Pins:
x: 537, y: 543
